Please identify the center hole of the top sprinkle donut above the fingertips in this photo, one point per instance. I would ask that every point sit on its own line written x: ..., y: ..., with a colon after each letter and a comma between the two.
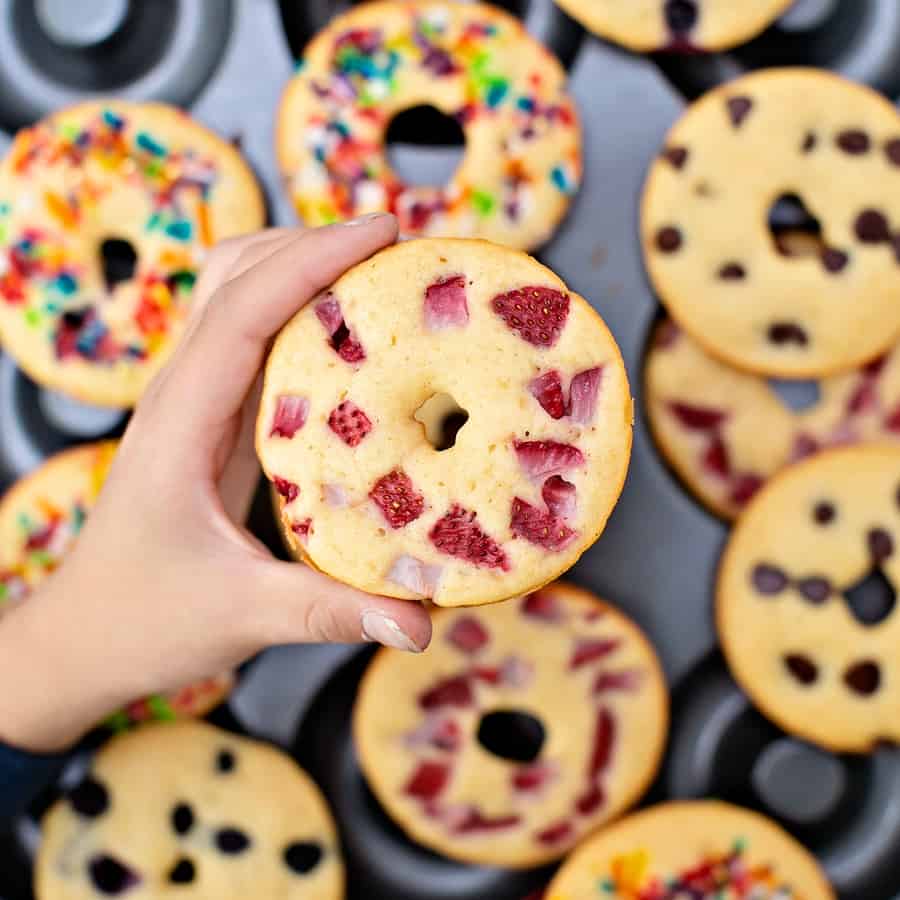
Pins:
x: 424, y: 146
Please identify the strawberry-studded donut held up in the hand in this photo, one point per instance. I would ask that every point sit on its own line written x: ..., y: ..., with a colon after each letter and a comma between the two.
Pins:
x: 426, y: 336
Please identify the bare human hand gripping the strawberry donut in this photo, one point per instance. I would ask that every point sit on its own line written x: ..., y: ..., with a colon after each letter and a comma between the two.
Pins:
x: 165, y: 586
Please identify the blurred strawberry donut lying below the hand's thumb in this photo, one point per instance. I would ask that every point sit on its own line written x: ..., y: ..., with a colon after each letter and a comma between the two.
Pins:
x: 523, y: 727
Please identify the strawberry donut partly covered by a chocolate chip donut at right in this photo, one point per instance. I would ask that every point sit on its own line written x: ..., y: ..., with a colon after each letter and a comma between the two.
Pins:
x: 726, y: 431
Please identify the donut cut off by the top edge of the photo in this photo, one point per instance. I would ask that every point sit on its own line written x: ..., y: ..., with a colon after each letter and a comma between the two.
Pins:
x: 680, y: 25
